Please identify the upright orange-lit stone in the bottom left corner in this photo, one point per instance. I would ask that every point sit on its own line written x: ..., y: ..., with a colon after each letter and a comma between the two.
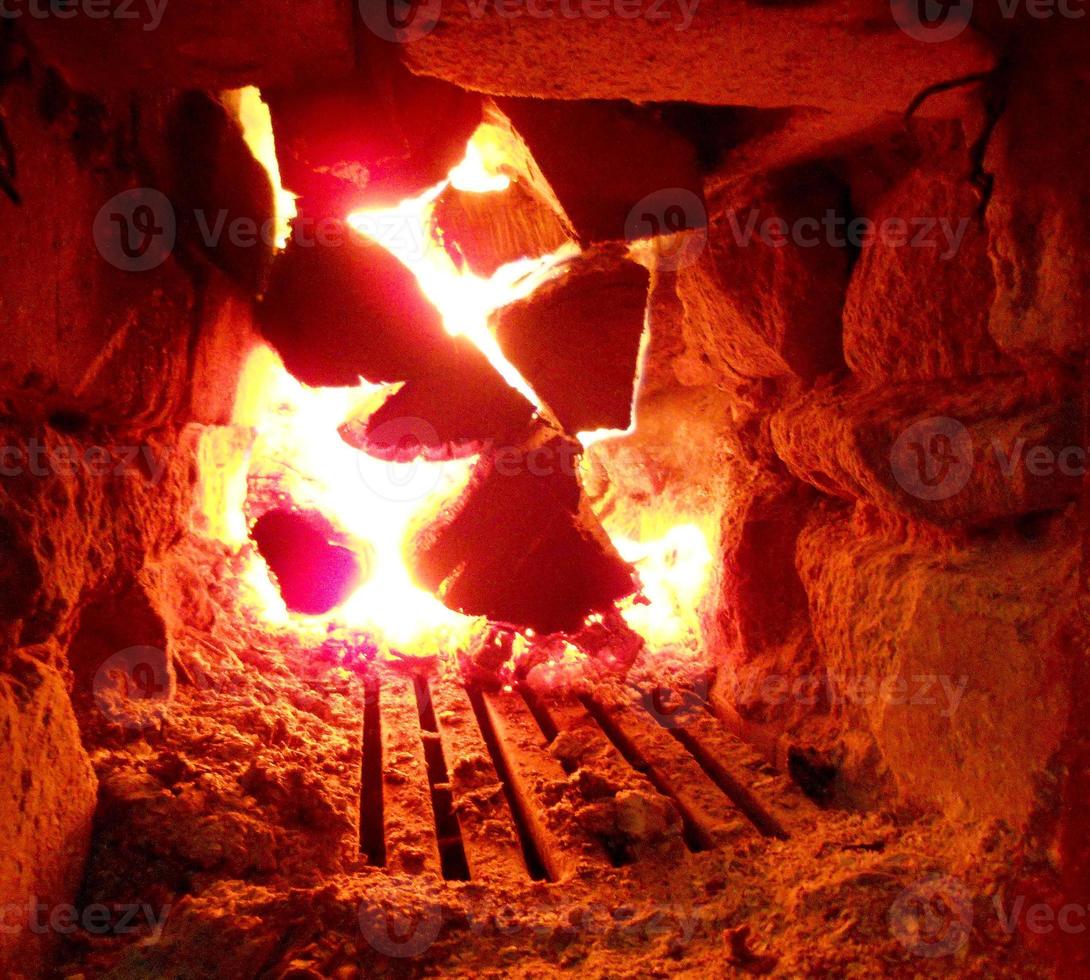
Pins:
x: 47, y: 803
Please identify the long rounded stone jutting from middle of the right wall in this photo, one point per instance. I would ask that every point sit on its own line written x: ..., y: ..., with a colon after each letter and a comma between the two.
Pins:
x: 985, y: 451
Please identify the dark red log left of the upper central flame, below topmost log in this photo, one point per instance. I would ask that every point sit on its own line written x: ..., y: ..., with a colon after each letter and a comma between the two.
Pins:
x: 341, y: 307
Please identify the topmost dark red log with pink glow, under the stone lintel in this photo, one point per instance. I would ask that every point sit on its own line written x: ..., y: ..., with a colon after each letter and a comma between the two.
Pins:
x: 373, y: 141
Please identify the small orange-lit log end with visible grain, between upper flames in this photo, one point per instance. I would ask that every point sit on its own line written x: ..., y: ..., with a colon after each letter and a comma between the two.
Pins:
x: 486, y: 232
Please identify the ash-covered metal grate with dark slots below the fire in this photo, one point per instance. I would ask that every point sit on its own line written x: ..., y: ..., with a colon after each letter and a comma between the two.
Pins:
x: 477, y: 784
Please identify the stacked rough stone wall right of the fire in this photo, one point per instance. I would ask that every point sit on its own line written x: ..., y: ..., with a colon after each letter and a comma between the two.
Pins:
x: 902, y: 542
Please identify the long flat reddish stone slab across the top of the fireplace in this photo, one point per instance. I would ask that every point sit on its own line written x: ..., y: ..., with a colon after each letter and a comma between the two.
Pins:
x: 732, y: 53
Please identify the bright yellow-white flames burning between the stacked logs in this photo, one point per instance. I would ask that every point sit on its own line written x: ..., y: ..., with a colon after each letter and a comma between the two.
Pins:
x: 298, y: 451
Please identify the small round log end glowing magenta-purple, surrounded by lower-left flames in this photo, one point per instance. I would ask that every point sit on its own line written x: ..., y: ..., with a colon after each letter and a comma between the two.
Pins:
x: 314, y: 574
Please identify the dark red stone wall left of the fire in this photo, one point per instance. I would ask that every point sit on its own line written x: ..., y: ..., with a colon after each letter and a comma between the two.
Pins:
x: 108, y: 374
